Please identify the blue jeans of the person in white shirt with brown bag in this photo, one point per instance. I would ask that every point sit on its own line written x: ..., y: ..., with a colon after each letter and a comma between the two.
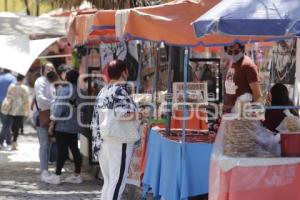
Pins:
x: 44, y: 147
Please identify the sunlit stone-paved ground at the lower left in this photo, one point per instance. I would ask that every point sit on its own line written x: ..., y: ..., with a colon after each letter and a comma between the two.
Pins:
x: 20, y: 180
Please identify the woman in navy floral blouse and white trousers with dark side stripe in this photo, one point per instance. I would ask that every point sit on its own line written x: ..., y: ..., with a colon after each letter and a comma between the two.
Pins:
x: 109, y: 135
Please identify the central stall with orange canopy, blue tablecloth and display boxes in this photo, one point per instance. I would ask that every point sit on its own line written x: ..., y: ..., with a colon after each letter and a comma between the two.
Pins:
x: 182, y: 174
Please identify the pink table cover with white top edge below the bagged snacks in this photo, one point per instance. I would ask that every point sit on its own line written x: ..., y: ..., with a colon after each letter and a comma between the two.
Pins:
x: 255, y: 178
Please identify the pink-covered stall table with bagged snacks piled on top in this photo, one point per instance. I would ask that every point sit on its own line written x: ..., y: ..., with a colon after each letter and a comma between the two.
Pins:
x: 256, y: 173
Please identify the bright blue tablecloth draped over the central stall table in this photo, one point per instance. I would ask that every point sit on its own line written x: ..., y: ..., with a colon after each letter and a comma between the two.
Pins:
x: 163, y: 168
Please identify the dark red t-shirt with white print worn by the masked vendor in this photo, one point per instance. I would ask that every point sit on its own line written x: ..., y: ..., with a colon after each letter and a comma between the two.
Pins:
x: 237, y: 81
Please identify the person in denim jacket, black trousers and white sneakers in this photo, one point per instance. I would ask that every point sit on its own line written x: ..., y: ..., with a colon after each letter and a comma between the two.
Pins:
x: 65, y: 125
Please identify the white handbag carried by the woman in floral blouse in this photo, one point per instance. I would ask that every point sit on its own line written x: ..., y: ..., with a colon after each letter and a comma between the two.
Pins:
x: 117, y: 130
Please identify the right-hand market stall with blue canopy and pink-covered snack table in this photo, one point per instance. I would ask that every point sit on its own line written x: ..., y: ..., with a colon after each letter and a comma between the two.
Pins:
x: 241, y: 169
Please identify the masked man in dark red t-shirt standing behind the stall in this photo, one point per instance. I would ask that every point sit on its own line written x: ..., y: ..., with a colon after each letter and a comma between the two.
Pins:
x: 242, y: 77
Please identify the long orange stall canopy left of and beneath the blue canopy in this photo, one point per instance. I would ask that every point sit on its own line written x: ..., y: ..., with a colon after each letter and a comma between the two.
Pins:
x: 170, y: 22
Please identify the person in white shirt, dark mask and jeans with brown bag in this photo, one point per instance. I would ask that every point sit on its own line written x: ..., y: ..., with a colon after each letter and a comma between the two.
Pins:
x: 44, y: 98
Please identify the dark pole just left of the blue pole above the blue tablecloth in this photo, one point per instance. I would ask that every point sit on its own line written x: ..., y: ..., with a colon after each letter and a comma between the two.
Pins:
x: 169, y: 91
